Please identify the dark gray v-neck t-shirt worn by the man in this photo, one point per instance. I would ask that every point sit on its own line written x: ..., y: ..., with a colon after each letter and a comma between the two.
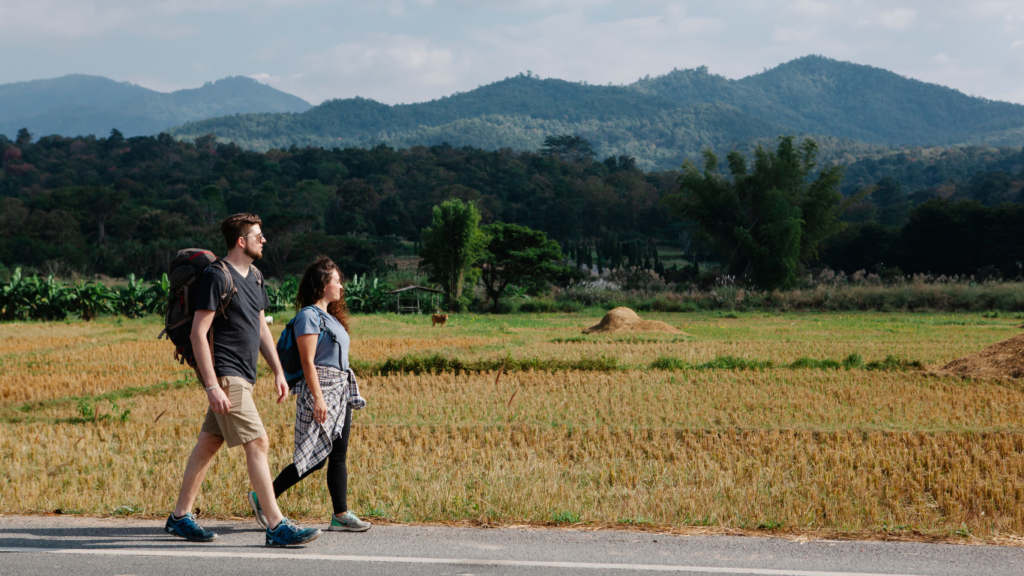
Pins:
x: 236, y: 336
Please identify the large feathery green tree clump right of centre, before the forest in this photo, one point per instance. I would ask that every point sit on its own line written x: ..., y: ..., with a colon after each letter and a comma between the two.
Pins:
x: 767, y: 221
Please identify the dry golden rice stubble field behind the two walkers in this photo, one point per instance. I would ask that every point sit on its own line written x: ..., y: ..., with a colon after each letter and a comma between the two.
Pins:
x: 847, y: 452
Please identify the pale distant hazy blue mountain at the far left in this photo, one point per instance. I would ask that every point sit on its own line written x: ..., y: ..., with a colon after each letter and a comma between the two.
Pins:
x: 80, y: 105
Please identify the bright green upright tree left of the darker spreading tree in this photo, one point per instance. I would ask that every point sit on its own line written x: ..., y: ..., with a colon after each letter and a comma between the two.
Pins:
x: 451, y: 245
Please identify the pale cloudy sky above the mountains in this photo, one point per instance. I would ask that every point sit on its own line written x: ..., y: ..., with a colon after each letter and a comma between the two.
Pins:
x: 414, y: 51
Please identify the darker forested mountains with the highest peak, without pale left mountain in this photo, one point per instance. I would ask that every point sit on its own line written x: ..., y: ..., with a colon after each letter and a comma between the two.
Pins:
x: 661, y: 121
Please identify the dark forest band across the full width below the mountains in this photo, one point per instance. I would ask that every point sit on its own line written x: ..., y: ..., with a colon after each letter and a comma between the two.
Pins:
x: 117, y: 207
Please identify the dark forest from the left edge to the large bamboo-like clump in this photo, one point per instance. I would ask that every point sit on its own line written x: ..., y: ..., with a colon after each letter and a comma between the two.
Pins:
x: 117, y: 205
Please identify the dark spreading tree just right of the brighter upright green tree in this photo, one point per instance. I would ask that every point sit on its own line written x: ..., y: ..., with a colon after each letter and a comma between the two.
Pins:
x: 516, y: 254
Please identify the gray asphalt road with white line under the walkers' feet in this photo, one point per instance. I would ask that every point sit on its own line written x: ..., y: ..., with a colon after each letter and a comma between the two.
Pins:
x: 107, y: 547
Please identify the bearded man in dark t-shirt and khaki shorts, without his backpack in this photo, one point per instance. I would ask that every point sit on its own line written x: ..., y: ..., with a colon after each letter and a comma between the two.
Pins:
x: 227, y: 364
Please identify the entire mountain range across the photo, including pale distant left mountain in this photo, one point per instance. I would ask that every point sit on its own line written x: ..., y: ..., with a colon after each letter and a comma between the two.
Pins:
x: 852, y: 110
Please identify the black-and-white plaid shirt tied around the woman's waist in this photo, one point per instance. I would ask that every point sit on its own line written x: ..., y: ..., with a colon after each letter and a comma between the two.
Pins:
x: 313, y: 441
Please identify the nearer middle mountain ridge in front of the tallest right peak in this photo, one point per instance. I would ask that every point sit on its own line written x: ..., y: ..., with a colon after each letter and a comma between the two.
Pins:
x: 517, y: 113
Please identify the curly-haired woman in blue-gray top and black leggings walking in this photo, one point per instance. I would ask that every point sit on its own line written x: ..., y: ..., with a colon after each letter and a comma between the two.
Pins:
x: 327, y: 395
